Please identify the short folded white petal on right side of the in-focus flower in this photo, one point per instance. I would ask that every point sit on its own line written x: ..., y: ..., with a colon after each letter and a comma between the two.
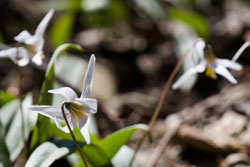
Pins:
x: 90, y: 103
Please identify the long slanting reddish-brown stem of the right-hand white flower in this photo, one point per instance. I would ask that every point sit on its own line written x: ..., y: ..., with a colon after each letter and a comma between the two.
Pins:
x: 159, y: 106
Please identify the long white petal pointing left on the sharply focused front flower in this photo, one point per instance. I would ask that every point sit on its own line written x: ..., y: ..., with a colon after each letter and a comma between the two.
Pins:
x: 49, y: 111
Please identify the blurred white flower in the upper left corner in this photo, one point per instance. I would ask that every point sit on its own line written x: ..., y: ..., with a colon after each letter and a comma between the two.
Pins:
x: 31, y: 45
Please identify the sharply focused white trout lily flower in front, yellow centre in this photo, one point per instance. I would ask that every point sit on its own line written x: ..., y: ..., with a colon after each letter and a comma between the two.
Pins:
x: 77, y: 110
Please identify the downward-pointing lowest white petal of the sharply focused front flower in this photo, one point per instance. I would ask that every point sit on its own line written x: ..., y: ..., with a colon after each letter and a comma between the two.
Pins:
x: 83, y: 126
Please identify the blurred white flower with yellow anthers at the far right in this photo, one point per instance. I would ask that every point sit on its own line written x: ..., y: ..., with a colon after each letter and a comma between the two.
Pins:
x: 210, y: 64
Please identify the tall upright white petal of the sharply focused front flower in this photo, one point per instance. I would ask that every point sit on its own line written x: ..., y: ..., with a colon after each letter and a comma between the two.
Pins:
x: 88, y: 78
